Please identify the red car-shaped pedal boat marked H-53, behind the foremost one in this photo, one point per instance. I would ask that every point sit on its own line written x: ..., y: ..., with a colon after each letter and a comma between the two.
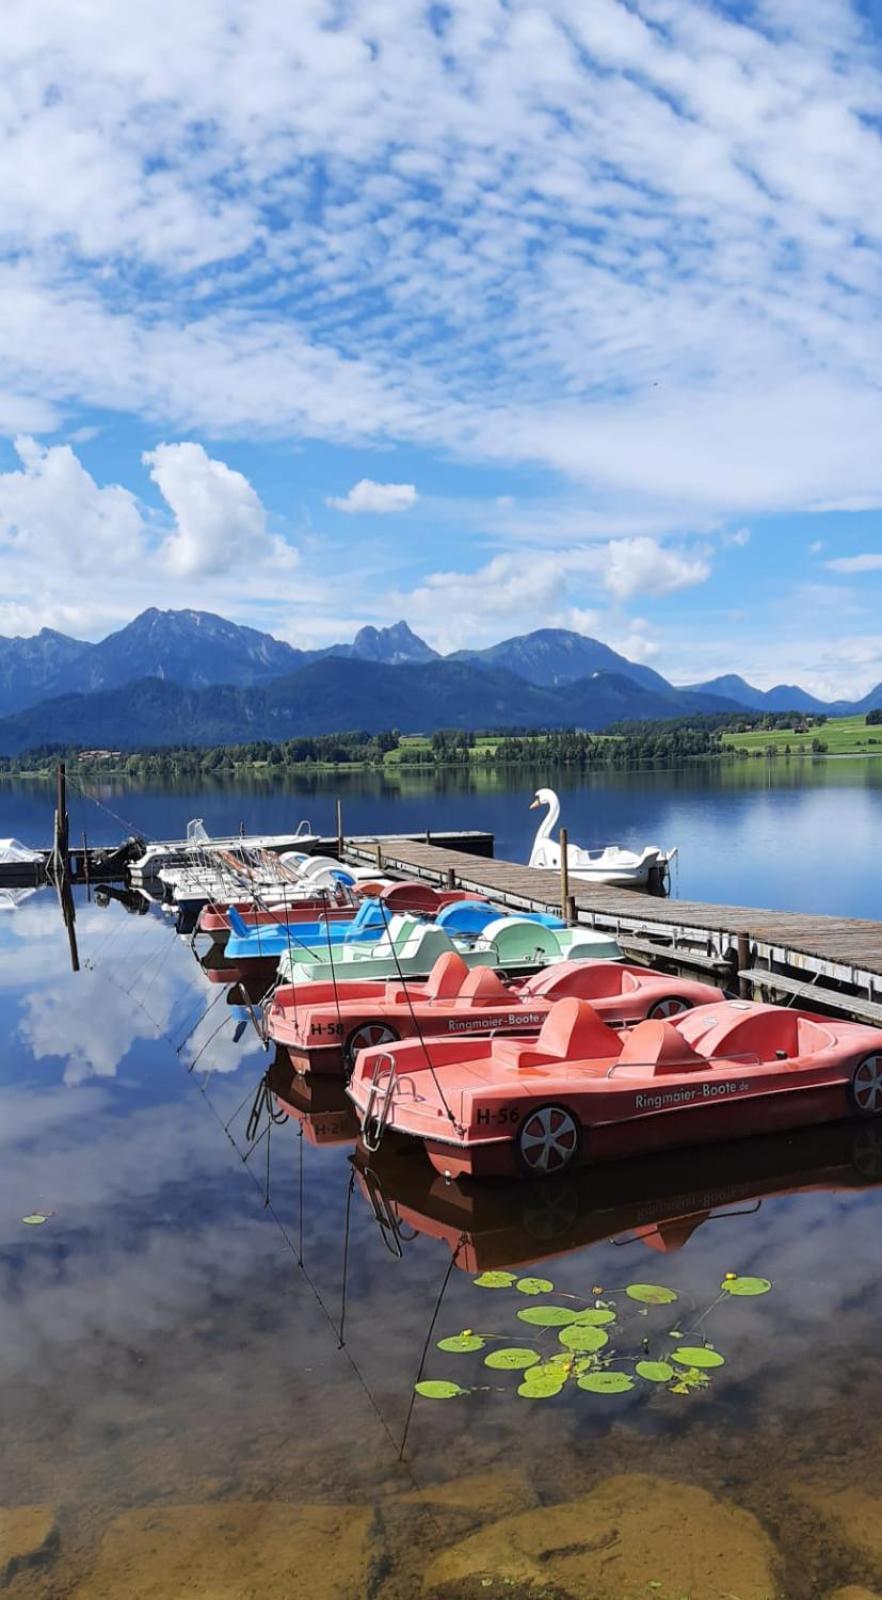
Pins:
x: 324, y: 1030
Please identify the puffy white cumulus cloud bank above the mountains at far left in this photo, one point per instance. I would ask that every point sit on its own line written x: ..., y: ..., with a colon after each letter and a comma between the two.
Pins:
x: 84, y: 558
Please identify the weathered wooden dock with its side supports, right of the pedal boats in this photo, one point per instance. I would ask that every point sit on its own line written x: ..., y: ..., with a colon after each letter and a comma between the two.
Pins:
x: 828, y: 962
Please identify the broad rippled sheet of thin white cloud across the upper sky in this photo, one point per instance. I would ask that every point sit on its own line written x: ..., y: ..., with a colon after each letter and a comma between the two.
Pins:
x: 643, y: 254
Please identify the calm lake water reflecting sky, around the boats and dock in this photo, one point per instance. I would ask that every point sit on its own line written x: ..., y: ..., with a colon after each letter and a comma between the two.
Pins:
x: 212, y: 1396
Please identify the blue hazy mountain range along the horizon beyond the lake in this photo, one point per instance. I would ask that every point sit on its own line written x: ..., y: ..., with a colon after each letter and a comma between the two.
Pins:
x: 177, y: 678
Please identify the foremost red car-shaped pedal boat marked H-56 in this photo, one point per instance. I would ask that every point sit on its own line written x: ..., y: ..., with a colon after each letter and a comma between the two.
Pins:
x: 582, y: 1094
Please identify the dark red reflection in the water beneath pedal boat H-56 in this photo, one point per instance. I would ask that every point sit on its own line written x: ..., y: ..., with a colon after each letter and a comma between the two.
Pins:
x: 659, y: 1202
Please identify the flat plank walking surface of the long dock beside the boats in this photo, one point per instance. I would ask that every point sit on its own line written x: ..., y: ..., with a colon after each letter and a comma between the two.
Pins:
x: 844, y: 942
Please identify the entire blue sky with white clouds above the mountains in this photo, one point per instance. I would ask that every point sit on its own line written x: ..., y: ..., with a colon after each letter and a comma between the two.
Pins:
x: 487, y: 314
